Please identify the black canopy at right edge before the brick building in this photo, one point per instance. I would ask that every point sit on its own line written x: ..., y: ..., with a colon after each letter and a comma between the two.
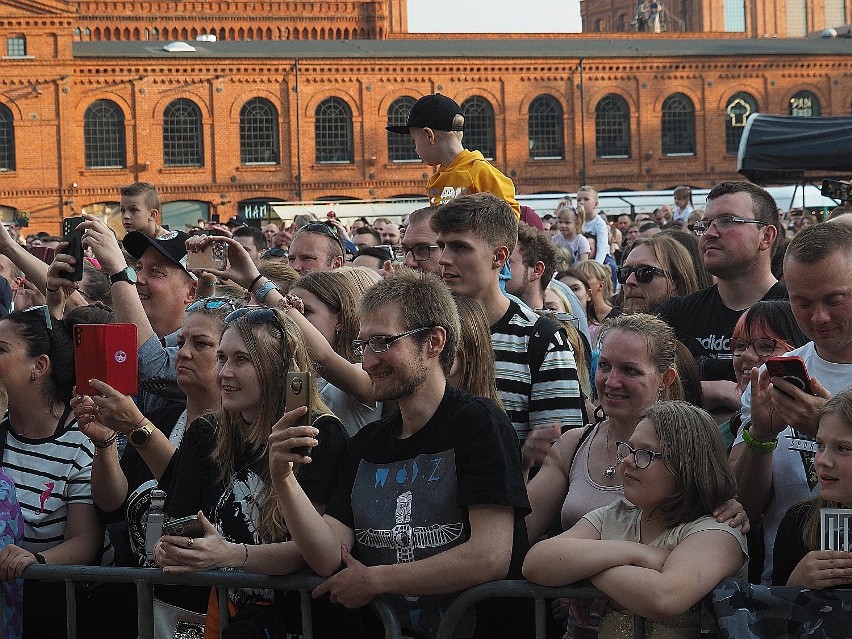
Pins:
x: 778, y: 149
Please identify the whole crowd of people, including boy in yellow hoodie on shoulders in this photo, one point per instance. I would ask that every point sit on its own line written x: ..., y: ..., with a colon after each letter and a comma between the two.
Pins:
x: 490, y: 394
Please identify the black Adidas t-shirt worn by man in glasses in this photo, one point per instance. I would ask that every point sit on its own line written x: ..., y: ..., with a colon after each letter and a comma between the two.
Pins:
x: 704, y: 324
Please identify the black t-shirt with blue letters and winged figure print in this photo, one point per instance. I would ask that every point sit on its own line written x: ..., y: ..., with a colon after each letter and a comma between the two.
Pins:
x: 408, y: 499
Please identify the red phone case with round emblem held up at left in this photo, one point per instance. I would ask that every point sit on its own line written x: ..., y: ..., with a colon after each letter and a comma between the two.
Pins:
x: 107, y: 352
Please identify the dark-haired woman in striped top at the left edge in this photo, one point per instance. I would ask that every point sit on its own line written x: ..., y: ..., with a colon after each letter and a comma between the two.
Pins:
x: 49, y: 460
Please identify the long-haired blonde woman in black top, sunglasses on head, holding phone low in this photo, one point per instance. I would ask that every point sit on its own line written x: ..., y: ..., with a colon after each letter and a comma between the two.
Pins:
x: 221, y: 470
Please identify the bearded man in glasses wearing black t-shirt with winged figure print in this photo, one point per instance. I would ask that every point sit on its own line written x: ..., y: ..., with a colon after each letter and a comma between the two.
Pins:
x: 431, y: 498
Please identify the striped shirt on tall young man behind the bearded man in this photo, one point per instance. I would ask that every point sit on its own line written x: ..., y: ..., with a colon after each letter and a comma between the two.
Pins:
x: 534, y: 398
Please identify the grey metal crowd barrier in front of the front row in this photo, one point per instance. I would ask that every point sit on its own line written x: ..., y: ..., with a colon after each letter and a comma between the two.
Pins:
x: 146, y: 578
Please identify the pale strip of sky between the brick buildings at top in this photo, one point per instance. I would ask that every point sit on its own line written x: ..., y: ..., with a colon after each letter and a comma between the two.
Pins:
x: 494, y: 16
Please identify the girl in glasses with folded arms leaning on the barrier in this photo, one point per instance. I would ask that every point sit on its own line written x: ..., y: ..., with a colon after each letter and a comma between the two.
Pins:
x: 658, y: 550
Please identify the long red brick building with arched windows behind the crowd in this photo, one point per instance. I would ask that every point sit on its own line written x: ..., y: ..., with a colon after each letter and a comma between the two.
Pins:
x: 228, y: 126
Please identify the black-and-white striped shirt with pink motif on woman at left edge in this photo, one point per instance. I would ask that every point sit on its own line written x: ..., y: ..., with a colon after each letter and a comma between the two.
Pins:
x: 49, y: 474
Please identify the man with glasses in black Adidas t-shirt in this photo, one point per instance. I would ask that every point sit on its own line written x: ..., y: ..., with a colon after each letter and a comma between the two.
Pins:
x: 736, y: 239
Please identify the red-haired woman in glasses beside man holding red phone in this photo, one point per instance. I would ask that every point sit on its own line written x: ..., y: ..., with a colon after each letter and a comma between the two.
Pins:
x: 766, y: 329
